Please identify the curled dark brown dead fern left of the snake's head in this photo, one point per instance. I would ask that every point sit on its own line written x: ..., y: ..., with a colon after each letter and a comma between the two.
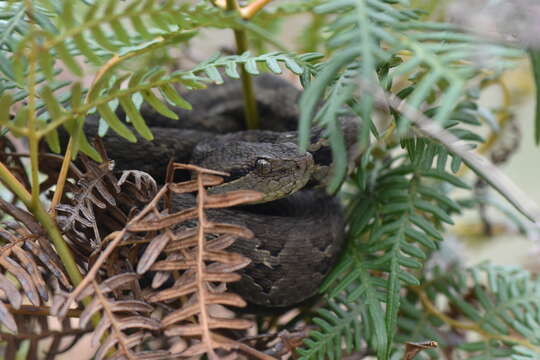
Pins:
x: 96, y: 201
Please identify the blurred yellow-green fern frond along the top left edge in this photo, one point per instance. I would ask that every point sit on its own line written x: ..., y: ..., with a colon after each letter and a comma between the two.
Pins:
x: 100, y: 32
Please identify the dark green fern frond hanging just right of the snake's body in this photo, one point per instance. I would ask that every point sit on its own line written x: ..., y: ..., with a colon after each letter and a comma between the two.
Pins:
x: 393, y: 225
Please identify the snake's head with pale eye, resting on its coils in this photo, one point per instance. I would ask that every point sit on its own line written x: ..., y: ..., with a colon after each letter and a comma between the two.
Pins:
x: 276, y: 170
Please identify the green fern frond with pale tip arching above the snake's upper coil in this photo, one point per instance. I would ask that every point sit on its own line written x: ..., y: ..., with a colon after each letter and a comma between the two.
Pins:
x: 62, y: 108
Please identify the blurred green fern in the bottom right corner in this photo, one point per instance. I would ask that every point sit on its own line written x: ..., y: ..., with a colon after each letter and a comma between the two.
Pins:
x: 501, y: 304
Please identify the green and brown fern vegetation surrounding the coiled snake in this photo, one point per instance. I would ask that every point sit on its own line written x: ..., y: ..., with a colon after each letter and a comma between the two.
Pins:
x: 412, y: 83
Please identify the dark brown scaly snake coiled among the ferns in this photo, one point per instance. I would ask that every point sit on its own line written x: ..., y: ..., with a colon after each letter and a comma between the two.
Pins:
x: 298, y: 228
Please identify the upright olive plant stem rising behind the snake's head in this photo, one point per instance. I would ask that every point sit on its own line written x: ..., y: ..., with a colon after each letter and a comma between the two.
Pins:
x: 250, y: 104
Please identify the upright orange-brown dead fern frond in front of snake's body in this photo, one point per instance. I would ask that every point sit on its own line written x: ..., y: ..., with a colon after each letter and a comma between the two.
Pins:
x: 197, y: 255
